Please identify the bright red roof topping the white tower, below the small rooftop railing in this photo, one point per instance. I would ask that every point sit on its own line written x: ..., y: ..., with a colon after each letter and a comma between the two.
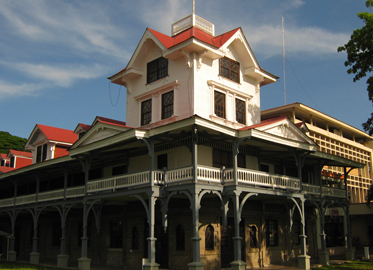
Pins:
x: 195, y: 32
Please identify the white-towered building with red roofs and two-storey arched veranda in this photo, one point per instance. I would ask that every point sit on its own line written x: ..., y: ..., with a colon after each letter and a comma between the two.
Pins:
x: 194, y: 179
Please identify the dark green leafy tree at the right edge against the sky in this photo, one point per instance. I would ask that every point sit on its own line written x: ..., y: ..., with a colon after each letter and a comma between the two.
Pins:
x: 360, y: 56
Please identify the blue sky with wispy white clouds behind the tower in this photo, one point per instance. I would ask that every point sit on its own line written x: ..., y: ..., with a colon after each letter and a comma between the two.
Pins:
x: 55, y: 56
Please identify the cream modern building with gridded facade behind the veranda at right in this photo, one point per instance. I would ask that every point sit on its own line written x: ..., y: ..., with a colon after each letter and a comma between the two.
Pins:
x: 337, y: 138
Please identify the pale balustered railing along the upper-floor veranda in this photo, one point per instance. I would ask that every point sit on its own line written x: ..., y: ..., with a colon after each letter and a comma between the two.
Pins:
x: 176, y: 176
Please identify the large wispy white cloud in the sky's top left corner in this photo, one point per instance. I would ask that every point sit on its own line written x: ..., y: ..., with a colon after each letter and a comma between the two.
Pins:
x: 85, y: 26
